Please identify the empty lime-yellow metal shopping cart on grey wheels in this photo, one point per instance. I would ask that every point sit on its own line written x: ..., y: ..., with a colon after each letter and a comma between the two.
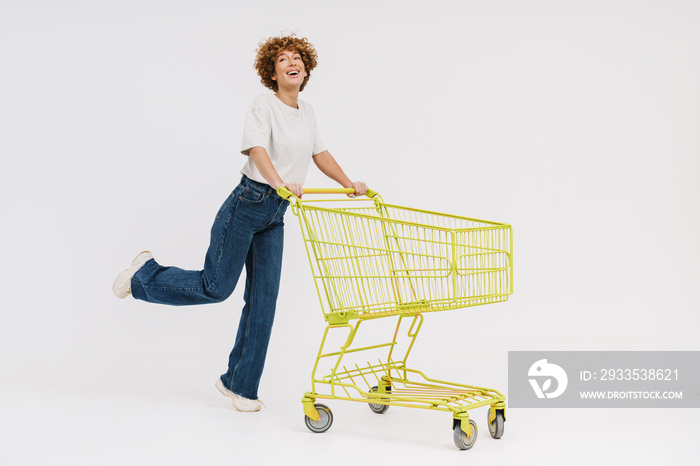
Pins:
x: 371, y: 260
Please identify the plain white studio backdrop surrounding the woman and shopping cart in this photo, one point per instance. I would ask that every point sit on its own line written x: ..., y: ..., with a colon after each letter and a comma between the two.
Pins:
x: 120, y: 125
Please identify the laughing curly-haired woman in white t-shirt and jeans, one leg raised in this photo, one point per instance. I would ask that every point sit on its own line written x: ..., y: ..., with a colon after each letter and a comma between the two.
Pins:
x: 280, y: 138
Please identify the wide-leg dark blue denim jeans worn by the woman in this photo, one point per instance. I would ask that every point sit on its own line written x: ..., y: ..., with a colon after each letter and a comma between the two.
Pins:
x: 248, y: 229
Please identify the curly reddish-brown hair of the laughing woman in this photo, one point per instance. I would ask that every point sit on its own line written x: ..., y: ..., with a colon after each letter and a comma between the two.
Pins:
x: 268, y: 51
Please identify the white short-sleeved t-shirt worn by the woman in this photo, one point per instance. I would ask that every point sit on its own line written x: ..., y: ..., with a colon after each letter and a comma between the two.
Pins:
x: 289, y: 135
